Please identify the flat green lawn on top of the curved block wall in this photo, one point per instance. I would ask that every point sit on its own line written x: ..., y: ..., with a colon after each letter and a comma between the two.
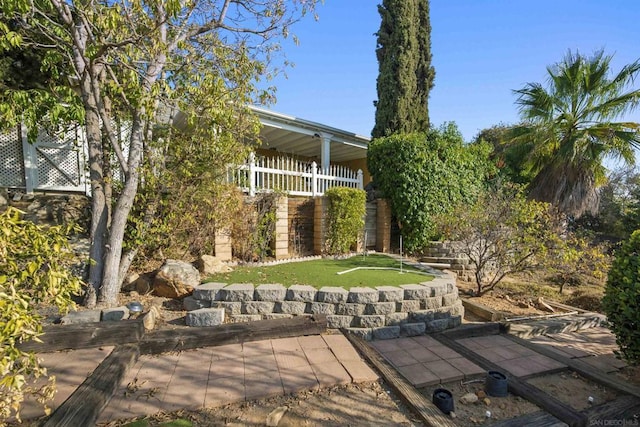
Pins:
x: 323, y: 272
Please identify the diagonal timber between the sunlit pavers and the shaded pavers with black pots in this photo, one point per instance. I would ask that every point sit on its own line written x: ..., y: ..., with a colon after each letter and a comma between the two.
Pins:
x: 423, y: 407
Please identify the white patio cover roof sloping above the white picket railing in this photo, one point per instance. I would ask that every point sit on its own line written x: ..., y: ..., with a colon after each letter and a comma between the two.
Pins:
x: 305, y: 138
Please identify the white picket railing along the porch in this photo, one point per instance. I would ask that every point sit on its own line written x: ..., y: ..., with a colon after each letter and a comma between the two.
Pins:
x: 294, y: 177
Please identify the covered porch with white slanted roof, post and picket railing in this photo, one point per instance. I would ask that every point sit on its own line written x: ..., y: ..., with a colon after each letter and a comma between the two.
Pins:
x: 302, y: 158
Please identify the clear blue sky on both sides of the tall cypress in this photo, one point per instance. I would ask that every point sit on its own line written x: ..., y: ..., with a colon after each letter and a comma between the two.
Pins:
x: 482, y: 50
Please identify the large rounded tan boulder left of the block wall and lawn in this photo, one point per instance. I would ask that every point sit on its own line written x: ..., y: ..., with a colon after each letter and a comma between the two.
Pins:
x: 175, y: 279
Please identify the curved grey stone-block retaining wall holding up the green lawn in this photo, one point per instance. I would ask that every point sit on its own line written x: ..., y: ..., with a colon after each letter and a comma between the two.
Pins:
x: 372, y: 313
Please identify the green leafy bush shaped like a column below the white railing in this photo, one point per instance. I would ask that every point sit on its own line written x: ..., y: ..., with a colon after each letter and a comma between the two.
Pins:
x: 345, y: 218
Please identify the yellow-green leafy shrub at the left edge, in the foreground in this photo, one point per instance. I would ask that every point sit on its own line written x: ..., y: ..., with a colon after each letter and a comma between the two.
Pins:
x: 34, y: 263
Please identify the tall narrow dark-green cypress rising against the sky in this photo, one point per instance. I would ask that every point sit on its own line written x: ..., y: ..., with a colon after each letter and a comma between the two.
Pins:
x: 405, y: 75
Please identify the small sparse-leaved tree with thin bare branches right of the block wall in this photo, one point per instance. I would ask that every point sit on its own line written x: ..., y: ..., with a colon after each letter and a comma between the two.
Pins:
x: 501, y: 233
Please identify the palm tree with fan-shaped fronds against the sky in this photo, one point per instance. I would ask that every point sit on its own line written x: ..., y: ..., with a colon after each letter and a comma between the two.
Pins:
x: 569, y: 128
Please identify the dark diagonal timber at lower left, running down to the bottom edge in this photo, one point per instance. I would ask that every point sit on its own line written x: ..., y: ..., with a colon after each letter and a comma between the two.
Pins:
x: 84, y: 405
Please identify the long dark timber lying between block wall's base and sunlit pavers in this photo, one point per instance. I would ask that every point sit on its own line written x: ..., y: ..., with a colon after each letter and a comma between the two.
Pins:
x: 189, y: 338
